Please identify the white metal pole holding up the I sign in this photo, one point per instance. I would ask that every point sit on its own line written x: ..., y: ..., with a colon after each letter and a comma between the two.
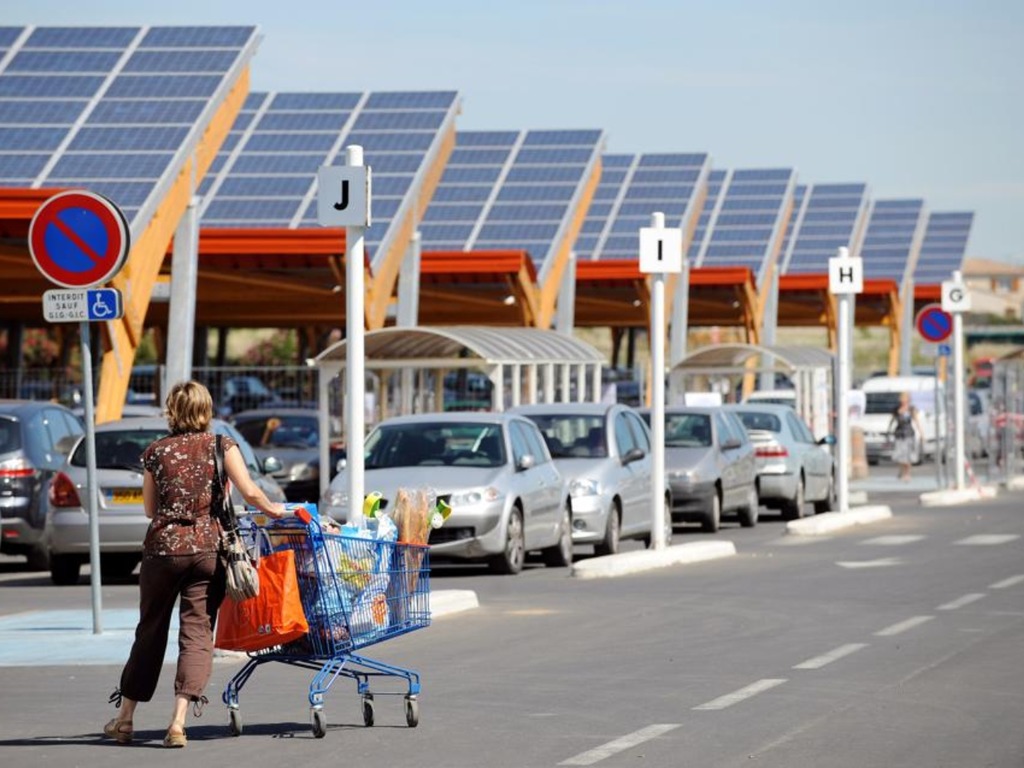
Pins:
x: 658, y: 400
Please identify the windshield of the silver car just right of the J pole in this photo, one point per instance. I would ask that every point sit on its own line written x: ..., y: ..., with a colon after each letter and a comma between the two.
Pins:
x: 442, y: 444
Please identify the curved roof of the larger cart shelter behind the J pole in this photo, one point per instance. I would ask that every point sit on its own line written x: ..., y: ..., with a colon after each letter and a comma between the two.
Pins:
x: 462, y: 344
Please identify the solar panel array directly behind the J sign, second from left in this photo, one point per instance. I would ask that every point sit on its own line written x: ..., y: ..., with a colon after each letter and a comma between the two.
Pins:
x: 266, y: 173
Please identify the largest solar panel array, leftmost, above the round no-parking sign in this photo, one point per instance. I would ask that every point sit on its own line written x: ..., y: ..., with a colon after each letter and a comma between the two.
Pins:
x: 108, y: 108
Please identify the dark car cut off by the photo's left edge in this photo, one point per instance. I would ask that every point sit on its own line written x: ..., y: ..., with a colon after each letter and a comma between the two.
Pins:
x: 35, y: 439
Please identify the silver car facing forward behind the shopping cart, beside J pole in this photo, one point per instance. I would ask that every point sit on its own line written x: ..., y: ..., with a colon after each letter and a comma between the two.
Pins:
x: 507, y: 497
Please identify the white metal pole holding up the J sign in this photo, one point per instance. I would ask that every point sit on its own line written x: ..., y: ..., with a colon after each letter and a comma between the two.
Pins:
x: 355, y: 353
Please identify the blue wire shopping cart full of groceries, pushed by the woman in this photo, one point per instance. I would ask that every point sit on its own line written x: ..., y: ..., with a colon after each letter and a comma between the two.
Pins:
x: 356, y: 592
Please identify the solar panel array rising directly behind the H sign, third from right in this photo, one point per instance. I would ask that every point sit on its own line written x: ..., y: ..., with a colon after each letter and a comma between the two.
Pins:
x: 825, y: 219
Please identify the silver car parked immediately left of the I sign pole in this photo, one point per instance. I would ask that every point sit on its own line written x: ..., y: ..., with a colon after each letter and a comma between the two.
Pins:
x: 604, y: 452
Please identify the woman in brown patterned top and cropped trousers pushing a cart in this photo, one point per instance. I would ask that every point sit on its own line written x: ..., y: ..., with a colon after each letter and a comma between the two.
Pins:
x: 181, y: 562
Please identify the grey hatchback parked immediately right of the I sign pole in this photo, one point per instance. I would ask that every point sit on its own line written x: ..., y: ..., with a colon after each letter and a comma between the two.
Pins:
x: 710, y: 465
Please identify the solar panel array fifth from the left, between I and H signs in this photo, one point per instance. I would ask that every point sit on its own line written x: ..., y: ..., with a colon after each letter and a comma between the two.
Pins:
x: 749, y: 219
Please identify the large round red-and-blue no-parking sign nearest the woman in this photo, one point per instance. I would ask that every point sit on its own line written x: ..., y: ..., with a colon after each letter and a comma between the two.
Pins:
x: 79, y: 239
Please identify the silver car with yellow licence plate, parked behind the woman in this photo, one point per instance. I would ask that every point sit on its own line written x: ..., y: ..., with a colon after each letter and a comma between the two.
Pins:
x: 122, y: 520
